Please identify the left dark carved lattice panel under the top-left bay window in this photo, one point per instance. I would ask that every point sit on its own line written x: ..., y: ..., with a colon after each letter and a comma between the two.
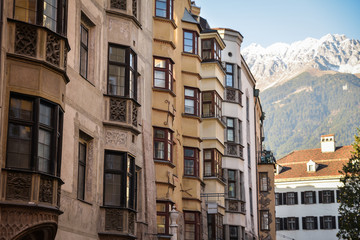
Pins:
x: 25, y: 39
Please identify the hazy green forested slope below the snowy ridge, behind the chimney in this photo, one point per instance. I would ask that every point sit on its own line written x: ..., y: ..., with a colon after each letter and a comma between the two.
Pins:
x: 300, y: 110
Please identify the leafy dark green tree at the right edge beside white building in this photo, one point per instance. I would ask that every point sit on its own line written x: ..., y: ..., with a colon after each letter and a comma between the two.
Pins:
x: 349, y: 209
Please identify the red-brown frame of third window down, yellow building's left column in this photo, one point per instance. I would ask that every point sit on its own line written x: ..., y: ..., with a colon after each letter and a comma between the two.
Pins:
x: 168, y: 142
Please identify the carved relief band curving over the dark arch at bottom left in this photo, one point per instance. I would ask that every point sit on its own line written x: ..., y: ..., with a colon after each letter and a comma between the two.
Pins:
x: 14, y: 220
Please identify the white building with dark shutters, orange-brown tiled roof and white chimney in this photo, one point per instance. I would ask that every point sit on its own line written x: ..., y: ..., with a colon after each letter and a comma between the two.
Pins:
x: 306, y: 187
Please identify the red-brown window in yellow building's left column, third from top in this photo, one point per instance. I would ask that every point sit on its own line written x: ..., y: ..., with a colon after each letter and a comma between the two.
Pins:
x: 163, y: 144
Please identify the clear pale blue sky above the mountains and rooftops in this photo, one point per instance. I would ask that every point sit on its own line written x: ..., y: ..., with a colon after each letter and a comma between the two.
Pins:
x: 269, y: 21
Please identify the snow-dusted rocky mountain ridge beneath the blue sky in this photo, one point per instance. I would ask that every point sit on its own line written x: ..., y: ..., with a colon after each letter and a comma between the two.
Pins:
x: 280, y: 61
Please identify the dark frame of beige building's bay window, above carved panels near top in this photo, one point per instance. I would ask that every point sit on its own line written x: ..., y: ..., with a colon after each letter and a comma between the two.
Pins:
x: 130, y: 88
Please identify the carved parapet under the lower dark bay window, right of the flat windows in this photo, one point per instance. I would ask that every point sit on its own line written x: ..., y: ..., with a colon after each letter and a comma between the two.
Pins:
x: 117, y: 223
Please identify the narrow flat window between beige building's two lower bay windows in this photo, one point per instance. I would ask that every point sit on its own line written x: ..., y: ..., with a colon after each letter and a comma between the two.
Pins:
x: 81, y: 169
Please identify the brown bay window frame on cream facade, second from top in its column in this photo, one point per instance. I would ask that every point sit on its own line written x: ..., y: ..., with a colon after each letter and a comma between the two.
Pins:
x: 215, y: 109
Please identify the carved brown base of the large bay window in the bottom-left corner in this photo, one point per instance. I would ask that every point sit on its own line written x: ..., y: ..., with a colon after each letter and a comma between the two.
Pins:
x: 29, y: 203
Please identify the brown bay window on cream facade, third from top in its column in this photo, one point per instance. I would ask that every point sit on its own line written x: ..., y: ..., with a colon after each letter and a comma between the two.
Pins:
x: 212, y: 163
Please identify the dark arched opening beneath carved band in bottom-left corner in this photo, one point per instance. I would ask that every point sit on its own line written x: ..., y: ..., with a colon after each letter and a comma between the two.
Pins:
x: 38, y: 232
